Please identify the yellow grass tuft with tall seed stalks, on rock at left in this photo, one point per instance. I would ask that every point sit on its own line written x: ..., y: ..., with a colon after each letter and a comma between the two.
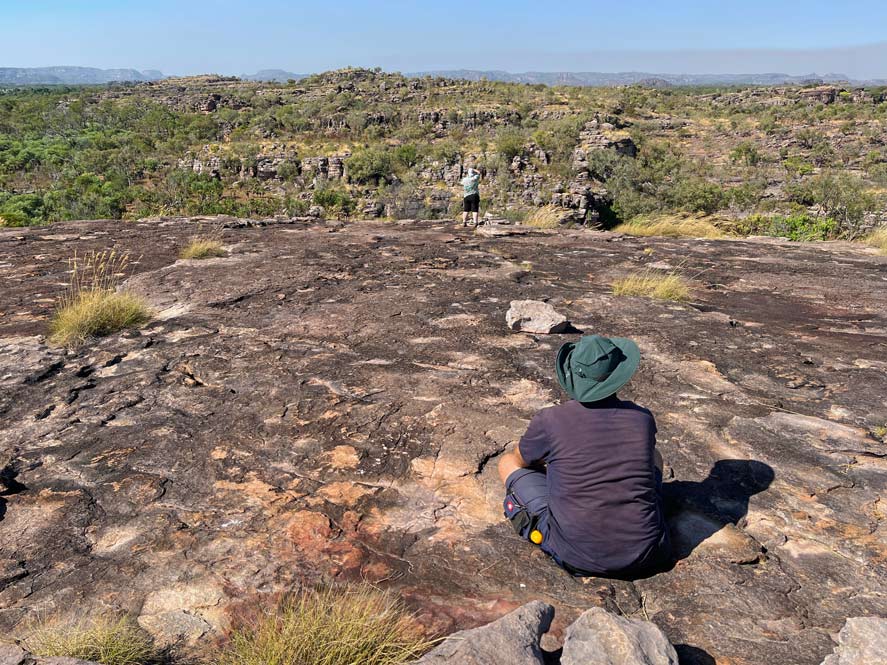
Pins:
x: 93, y: 305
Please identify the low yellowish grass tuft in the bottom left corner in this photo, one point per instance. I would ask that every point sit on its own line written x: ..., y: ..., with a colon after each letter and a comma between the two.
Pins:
x: 107, y: 640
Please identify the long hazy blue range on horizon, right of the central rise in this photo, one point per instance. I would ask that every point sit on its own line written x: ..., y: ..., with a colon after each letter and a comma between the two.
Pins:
x: 602, y: 79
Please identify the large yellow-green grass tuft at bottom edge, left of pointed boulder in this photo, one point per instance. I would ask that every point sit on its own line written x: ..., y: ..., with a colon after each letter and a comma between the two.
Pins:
x: 327, y: 627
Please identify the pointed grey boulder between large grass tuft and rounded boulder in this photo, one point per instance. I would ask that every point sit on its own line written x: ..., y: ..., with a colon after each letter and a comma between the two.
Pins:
x: 513, y: 639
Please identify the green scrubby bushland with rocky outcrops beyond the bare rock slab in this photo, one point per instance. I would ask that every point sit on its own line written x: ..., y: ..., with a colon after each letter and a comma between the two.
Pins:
x: 803, y: 168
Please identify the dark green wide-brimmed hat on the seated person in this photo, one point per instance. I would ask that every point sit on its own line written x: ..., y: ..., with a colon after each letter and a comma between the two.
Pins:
x: 596, y: 367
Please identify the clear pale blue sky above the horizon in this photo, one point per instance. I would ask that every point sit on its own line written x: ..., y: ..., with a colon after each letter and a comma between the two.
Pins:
x: 224, y: 36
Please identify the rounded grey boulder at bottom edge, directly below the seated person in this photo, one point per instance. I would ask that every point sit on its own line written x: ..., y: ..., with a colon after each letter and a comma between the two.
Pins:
x: 600, y: 638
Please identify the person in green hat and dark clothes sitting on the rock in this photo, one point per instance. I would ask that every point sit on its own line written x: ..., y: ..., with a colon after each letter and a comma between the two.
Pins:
x: 584, y: 481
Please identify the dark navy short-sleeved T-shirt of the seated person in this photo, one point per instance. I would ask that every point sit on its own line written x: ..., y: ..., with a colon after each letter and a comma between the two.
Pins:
x: 605, y: 511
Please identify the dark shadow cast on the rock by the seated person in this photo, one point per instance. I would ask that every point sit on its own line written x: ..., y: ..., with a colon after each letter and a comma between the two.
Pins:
x: 697, y: 510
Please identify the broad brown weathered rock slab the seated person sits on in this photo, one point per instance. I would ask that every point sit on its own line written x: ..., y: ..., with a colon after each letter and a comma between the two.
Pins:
x: 328, y: 401
